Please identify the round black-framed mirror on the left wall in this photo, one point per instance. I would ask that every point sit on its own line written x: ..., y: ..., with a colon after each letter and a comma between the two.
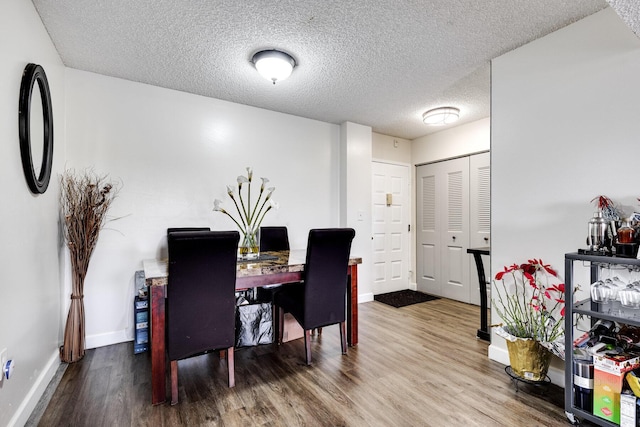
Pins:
x: 37, y: 177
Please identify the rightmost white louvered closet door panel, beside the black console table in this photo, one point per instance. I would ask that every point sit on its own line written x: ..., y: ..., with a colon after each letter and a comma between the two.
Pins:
x: 480, y: 215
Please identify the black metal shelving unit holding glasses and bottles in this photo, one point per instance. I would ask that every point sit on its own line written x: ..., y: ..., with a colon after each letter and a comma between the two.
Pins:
x: 595, y: 311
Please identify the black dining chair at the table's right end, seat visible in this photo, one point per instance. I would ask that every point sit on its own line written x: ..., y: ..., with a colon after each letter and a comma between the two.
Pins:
x: 320, y: 299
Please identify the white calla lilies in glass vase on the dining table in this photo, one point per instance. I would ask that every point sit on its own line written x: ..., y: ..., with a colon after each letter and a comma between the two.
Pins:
x: 249, y: 216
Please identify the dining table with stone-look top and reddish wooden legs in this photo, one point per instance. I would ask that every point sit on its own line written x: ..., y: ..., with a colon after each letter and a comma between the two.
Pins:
x: 268, y: 269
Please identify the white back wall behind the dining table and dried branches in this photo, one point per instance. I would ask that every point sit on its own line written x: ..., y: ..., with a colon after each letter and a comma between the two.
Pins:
x: 175, y: 154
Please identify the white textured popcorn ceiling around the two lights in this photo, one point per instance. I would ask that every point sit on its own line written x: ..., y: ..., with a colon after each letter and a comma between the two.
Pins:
x: 380, y: 63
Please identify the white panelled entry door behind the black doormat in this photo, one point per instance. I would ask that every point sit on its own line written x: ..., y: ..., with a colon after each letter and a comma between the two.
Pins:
x: 390, y: 222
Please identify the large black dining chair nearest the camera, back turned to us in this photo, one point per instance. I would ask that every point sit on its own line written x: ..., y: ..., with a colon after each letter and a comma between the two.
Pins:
x: 201, y: 297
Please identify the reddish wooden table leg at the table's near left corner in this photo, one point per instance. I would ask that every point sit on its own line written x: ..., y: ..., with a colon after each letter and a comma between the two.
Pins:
x: 158, y: 367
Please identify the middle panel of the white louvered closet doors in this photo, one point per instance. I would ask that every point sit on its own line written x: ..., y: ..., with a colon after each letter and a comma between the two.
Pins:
x: 454, y: 210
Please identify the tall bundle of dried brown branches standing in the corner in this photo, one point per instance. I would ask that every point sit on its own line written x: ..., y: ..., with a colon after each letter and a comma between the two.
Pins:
x: 85, y: 198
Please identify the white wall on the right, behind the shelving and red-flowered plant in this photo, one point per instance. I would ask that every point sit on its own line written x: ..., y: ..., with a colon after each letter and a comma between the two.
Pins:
x: 564, y: 129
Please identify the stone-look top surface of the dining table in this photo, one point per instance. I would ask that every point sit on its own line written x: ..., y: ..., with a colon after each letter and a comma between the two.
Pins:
x: 156, y: 270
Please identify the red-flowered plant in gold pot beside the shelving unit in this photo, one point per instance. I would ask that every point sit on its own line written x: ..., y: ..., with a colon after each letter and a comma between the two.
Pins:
x: 530, y: 302
